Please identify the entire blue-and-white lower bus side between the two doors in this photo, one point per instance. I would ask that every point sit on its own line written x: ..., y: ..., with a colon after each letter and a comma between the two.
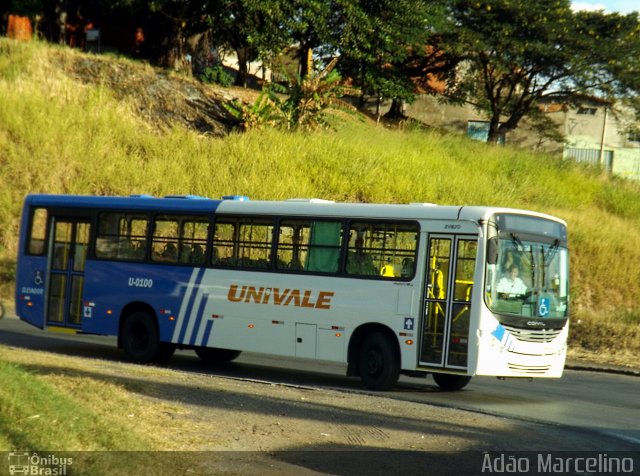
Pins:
x: 284, y: 314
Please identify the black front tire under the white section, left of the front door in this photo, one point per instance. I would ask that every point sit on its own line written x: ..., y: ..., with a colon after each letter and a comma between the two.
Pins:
x: 378, y: 362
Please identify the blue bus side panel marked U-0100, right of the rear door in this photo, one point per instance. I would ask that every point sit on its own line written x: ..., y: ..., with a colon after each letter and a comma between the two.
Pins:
x: 110, y: 286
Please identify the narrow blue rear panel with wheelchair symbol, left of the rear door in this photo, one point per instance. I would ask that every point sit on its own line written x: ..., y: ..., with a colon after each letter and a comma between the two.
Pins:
x: 30, y: 289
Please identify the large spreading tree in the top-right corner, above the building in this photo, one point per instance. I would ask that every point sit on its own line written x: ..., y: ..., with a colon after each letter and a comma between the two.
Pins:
x: 516, y: 52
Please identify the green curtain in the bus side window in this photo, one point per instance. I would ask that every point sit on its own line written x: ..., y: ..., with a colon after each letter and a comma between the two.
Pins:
x: 324, y: 247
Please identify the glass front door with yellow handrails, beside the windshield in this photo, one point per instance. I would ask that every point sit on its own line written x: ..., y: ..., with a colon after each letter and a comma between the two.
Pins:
x: 447, y: 302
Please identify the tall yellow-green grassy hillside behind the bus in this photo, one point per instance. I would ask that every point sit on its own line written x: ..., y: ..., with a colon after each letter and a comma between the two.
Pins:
x: 62, y: 134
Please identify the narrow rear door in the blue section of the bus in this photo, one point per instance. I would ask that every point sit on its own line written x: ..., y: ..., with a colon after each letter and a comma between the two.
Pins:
x: 67, y: 257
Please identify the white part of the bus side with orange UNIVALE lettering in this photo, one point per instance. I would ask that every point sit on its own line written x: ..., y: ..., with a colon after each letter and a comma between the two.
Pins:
x: 292, y: 315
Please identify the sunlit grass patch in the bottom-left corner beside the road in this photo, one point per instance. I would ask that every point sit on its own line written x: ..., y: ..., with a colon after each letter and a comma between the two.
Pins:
x: 61, y: 405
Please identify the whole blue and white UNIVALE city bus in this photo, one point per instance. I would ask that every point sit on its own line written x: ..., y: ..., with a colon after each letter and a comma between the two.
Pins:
x: 387, y: 289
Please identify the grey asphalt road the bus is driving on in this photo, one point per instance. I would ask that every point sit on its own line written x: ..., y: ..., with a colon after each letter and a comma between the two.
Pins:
x: 601, y: 403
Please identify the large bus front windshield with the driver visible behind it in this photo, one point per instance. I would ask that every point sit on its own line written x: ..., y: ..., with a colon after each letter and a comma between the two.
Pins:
x: 527, y: 277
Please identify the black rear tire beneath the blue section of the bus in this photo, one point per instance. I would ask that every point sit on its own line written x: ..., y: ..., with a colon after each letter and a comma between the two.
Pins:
x: 141, y: 342
